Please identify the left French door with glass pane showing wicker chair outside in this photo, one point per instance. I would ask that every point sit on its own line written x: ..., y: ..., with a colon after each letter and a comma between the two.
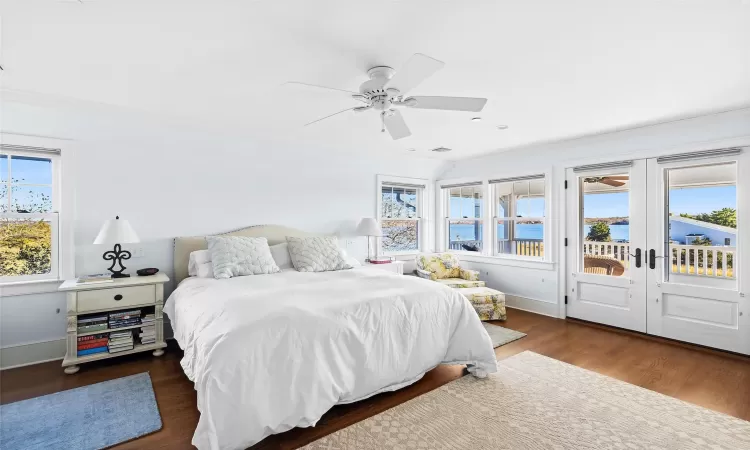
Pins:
x: 606, y: 222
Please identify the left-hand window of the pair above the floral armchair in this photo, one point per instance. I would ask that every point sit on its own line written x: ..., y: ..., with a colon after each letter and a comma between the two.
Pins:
x: 465, y: 217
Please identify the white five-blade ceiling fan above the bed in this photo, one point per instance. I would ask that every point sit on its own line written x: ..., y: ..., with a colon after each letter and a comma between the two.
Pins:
x: 386, y: 90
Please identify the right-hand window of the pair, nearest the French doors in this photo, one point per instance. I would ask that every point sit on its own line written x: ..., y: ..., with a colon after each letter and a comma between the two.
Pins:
x: 519, y: 216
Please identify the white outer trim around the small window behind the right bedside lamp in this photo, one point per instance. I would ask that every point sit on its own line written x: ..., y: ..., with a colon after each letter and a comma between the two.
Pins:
x: 424, y: 213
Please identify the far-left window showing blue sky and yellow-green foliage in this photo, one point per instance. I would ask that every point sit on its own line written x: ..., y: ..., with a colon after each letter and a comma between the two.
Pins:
x: 29, y: 244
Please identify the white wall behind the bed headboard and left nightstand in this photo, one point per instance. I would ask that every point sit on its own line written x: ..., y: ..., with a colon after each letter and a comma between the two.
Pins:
x: 170, y: 180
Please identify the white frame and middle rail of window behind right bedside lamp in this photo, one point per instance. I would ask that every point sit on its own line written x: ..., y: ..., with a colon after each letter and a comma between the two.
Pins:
x: 422, y: 214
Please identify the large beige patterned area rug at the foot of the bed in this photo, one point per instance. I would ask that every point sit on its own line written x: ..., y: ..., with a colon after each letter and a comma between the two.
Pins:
x: 535, y: 402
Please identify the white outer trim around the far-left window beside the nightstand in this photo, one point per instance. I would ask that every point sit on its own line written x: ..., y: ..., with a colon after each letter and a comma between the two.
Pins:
x: 63, y: 206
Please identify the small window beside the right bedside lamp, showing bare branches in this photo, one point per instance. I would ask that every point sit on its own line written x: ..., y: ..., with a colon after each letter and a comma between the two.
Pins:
x: 401, y: 213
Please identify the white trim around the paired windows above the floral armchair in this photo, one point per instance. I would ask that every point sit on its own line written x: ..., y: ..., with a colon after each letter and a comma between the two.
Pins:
x: 489, y: 232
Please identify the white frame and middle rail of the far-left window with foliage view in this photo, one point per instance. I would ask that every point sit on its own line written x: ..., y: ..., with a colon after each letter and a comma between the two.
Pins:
x: 61, y: 257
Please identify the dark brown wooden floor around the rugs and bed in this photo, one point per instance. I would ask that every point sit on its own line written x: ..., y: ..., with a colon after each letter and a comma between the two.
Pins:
x: 712, y: 379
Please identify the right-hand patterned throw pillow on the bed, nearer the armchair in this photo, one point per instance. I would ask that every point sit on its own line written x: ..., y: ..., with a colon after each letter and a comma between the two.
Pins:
x: 316, y: 254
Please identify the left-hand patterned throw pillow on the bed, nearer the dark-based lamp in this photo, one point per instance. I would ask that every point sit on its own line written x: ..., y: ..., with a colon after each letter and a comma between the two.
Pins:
x: 234, y: 256
